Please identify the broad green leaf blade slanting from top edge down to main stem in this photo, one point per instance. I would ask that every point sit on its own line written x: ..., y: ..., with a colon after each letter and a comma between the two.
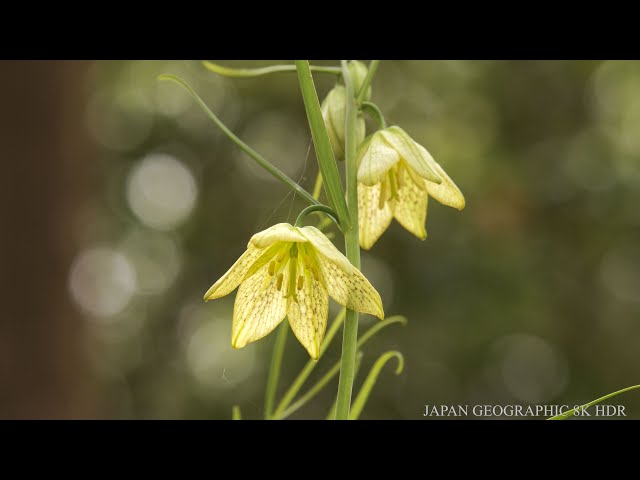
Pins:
x: 322, y: 144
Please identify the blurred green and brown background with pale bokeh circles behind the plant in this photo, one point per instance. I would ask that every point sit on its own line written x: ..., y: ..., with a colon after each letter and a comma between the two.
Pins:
x: 122, y: 203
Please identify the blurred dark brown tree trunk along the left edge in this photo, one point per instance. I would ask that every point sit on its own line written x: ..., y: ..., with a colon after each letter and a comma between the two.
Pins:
x: 43, y: 153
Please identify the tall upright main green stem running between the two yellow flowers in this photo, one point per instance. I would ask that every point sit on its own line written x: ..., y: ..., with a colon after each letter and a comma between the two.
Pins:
x: 352, y: 249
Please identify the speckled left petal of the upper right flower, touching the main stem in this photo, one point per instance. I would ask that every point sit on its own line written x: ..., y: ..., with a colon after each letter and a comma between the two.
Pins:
x: 372, y: 220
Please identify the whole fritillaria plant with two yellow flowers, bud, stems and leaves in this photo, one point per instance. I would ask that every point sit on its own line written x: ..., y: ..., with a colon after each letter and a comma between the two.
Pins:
x: 290, y: 271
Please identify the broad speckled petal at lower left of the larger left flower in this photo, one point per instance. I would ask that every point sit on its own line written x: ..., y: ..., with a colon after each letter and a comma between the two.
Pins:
x: 259, y: 307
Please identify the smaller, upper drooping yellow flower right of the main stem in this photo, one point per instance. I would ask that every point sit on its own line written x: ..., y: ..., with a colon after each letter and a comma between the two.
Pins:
x: 396, y: 177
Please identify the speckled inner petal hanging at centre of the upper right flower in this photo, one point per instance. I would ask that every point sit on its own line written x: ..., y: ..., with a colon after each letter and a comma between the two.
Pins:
x: 410, y: 206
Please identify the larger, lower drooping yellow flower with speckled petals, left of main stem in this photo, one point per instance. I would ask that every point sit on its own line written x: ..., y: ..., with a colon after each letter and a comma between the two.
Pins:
x: 290, y: 271
